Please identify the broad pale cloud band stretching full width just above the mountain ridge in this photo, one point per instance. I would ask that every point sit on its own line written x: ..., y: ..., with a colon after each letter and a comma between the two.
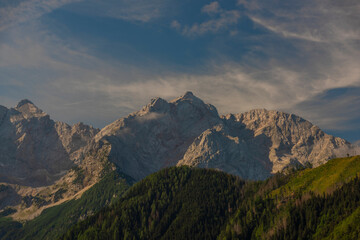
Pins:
x: 74, y: 85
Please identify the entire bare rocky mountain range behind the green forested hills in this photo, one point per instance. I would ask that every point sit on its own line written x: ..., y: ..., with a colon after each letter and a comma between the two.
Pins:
x: 44, y: 162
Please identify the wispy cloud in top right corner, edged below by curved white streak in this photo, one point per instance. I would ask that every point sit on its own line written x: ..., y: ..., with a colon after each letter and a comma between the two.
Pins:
x: 318, y: 21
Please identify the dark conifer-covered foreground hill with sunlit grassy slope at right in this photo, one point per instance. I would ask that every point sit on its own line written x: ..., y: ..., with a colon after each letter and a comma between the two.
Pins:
x: 189, y: 203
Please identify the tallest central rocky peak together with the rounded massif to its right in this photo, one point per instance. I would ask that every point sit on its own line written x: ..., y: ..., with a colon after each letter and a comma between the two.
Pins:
x: 186, y: 131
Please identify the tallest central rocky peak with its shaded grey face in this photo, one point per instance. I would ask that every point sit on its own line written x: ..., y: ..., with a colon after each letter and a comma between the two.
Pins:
x: 158, y: 135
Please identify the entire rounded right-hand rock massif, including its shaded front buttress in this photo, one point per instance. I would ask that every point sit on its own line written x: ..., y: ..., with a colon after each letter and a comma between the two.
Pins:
x: 258, y: 143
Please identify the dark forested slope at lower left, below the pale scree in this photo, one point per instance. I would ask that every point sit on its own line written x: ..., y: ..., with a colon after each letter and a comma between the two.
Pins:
x: 55, y: 221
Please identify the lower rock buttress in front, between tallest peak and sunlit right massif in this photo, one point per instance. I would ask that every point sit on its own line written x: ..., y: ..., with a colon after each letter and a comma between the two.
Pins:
x: 231, y: 150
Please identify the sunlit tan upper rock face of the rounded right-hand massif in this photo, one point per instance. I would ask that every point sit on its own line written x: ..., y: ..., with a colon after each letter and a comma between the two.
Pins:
x: 291, y: 138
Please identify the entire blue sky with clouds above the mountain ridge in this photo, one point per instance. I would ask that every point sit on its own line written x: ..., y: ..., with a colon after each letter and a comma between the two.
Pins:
x: 96, y: 61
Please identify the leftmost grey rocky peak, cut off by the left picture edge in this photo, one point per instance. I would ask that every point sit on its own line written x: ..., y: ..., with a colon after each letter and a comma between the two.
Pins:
x: 35, y: 150
